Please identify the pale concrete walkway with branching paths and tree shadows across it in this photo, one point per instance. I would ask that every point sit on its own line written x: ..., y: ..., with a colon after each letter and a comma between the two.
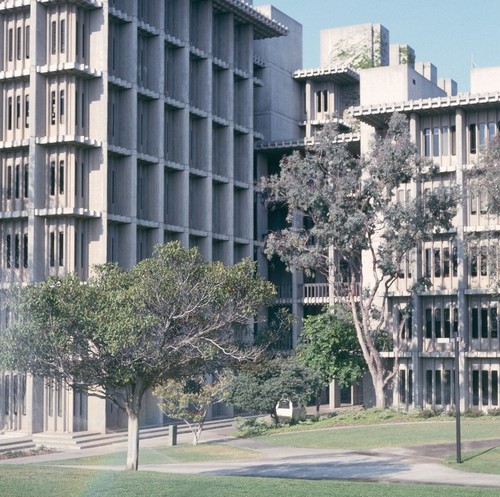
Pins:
x: 404, y: 465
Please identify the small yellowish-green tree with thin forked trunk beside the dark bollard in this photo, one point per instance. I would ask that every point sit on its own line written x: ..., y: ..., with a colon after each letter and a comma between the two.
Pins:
x: 191, y: 399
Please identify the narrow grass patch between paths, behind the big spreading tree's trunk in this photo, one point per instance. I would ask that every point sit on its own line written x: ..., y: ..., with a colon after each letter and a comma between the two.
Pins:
x: 168, y: 455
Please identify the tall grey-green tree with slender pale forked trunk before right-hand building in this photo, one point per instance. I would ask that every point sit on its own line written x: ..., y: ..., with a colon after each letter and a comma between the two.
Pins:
x: 349, y: 207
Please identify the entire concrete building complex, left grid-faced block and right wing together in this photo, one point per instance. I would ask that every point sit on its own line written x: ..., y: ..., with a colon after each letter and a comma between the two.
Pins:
x: 131, y: 123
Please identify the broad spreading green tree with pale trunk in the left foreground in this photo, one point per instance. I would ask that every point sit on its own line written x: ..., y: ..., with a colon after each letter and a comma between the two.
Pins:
x: 126, y: 331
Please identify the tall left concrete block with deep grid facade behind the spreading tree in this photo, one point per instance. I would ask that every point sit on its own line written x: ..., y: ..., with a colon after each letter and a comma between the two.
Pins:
x: 125, y: 124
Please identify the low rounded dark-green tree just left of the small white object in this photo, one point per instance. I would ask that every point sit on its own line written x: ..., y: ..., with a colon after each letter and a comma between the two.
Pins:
x: 261, y: 386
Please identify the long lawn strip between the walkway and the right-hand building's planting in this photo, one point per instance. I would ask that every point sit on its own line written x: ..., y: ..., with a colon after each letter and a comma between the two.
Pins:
x: 387, y: 435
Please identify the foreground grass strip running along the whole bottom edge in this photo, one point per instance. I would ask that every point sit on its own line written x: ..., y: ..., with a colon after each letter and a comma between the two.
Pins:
x: 44, y: 481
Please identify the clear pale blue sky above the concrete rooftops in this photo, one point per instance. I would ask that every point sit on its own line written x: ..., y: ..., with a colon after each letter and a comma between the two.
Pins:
x: 452, y: 34
